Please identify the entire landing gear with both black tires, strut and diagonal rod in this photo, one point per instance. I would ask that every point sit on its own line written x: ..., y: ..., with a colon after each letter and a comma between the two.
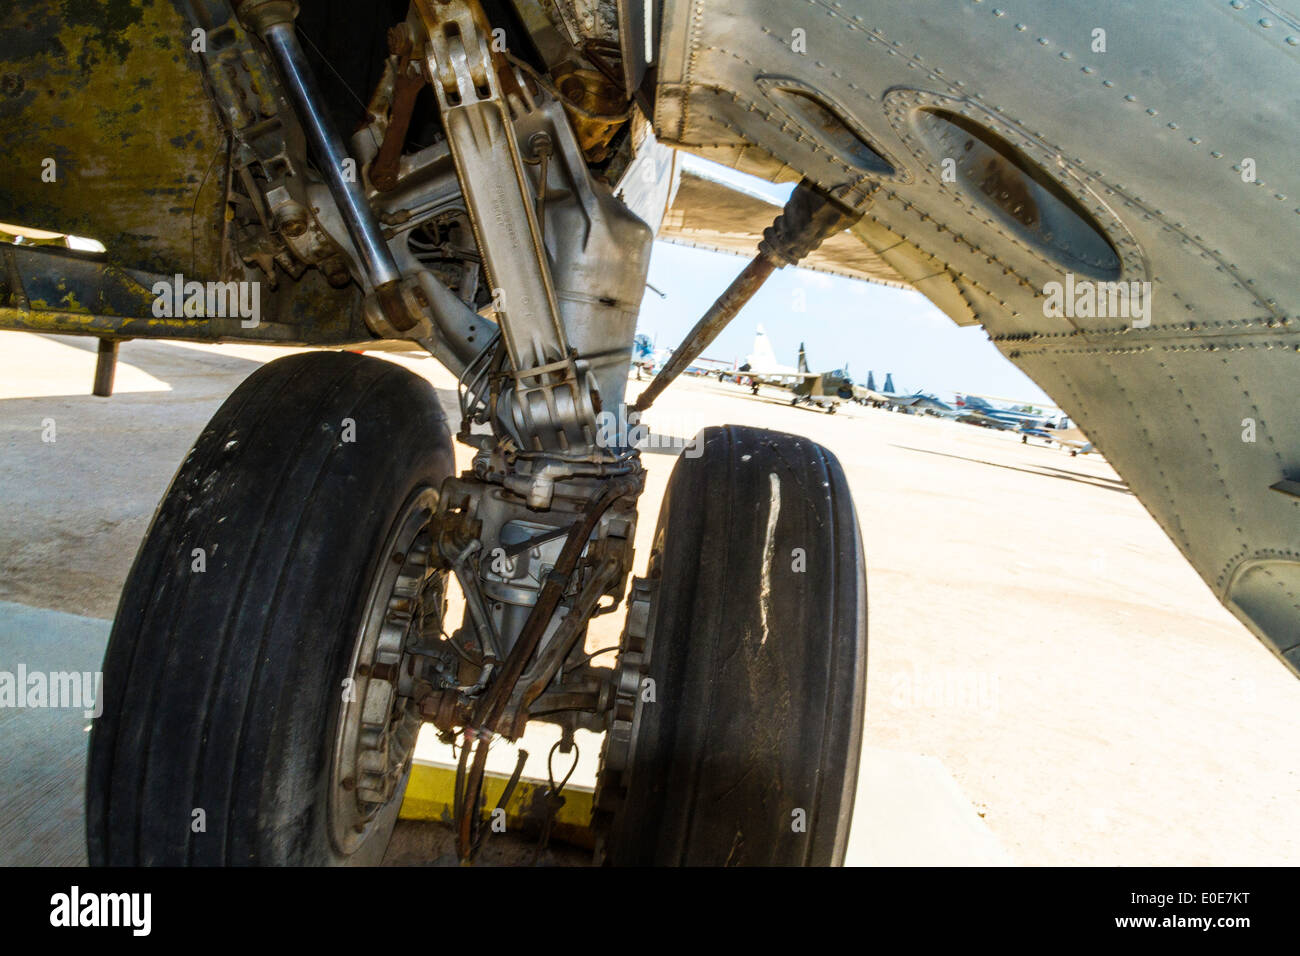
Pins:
x: 285, y: 630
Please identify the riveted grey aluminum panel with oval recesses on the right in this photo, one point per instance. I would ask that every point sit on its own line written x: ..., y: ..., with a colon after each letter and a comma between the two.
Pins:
x: 1007, y: 152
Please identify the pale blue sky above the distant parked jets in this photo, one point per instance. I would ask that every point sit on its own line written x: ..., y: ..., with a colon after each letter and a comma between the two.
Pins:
x: 869, y: 327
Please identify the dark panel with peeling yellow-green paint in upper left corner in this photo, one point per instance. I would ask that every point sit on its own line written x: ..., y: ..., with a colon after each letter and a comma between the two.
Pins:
x: 111, y: 93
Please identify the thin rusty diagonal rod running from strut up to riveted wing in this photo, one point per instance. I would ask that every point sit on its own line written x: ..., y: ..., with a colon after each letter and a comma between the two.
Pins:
x: 809, y: 219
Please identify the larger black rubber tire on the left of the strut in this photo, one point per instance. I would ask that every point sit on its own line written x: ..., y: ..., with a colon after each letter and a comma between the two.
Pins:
x: 222, y: 690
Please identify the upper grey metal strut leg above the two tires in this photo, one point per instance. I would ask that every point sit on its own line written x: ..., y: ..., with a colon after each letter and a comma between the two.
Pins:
x: 566, y: 261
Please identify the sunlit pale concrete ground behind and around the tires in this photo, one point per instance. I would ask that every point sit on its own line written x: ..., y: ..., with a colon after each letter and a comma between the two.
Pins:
x: 1050, y: 682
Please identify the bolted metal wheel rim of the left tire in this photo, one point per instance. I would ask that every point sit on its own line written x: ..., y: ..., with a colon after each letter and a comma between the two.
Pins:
x: 379, y: 720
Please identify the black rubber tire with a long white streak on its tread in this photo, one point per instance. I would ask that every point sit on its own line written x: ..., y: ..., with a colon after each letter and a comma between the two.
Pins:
x: 759, y: 704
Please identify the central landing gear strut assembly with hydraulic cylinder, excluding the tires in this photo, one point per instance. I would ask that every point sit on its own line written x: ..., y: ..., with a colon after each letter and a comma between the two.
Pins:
x: 541, y: 529
